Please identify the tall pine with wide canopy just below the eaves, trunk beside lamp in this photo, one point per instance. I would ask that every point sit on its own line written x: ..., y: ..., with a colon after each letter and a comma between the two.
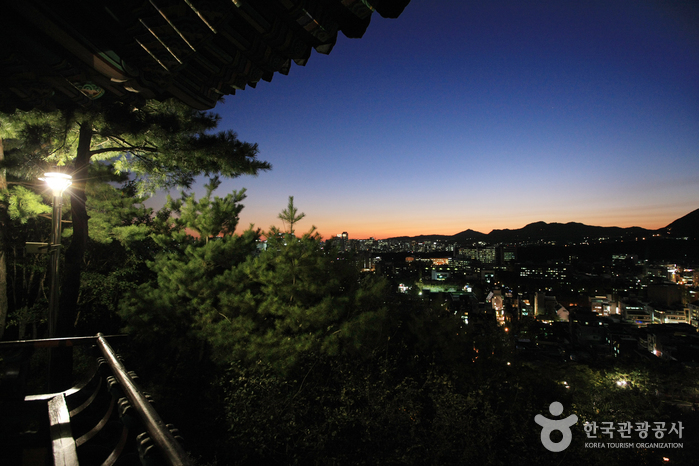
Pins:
x: 162, y: 144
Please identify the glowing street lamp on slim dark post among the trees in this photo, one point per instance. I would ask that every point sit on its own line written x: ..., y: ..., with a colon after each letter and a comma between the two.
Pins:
x: 58, y: 182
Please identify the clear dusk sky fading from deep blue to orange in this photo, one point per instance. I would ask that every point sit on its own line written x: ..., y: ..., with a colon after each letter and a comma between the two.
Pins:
x: 483, y: 115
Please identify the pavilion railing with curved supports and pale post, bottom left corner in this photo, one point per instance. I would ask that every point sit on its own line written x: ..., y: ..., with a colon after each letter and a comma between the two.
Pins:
x: 76, y: 416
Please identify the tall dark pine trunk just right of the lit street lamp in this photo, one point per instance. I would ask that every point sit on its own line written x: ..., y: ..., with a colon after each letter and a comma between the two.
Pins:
x: 61, y: 373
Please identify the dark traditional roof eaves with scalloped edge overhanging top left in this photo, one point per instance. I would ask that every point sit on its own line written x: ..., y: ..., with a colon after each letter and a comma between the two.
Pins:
x: 62, y: 53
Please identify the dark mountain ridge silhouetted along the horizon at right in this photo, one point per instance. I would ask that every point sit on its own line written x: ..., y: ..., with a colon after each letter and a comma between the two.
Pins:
x: 687, y: 226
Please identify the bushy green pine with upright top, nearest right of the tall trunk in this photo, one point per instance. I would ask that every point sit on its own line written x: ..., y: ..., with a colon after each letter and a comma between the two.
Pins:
x: 191, y: 273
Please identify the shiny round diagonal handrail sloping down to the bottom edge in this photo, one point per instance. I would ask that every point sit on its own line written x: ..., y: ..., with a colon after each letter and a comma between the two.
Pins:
x: 172, y: 451
